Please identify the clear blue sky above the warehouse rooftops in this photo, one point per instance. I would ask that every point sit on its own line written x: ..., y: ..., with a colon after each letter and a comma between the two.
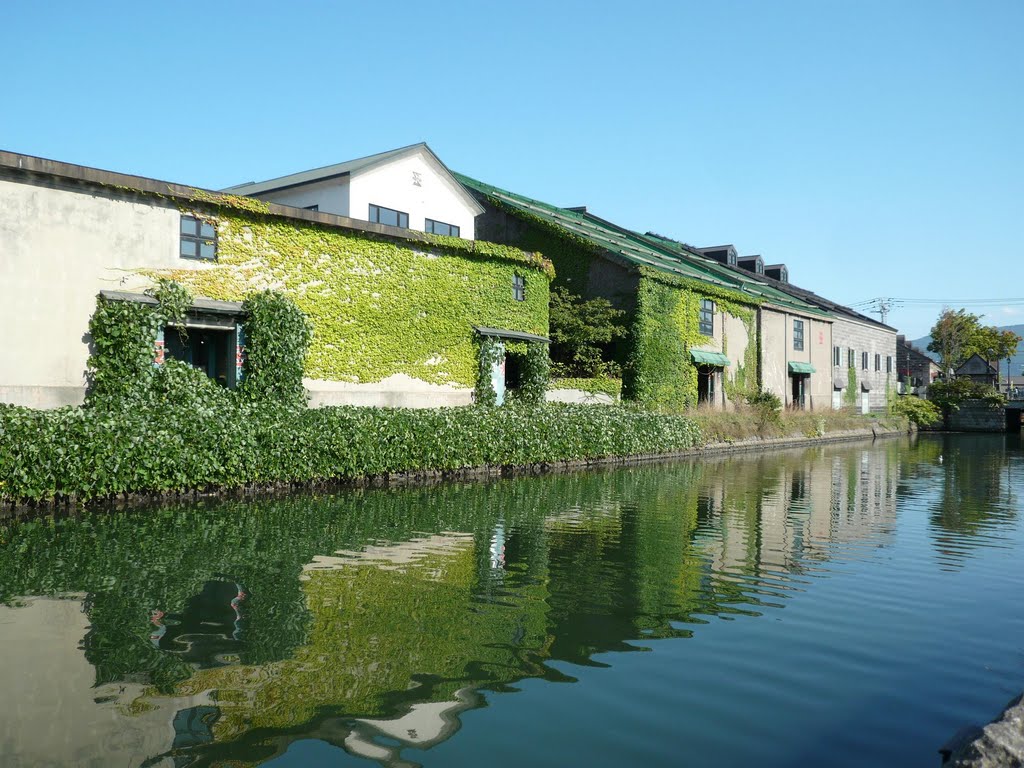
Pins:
x: 874, y: 147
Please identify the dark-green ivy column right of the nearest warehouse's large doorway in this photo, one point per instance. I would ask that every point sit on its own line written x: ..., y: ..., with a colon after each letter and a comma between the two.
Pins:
x: 277, y: 340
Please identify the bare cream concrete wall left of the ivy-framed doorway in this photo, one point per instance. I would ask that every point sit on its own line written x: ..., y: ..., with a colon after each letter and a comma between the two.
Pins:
x: 59, y: 248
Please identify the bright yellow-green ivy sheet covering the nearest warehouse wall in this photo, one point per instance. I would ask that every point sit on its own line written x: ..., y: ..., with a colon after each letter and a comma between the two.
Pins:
x: 378, y: 307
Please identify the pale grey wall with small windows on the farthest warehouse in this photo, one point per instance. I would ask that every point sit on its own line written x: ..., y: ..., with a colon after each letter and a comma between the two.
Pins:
x: 863, y: 337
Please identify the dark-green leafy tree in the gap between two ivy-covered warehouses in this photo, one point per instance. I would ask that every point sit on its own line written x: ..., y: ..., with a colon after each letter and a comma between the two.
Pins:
x: 581, y: 334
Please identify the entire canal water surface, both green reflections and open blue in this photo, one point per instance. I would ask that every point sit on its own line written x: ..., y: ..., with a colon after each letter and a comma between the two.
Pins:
x: 843, y: 606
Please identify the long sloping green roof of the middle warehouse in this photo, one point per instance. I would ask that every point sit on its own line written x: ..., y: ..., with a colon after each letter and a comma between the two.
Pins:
x: 643, y: 251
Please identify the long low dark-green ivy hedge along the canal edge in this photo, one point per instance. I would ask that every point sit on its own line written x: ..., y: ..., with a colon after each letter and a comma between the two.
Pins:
x: 96, y: 453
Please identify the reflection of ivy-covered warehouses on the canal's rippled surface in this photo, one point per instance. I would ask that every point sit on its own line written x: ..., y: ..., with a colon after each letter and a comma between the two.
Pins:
x: 201, y: 634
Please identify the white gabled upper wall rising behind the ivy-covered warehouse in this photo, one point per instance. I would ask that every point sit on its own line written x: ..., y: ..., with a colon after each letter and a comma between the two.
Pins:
x: 393, y: 186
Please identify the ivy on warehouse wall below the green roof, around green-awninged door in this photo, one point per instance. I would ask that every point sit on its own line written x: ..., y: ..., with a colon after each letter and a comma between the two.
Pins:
x: 660, y: 371
